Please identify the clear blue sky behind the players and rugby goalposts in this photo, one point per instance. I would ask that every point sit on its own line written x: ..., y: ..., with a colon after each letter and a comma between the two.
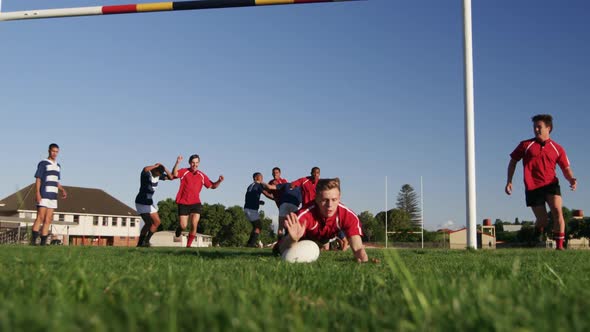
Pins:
x: 363, y: 90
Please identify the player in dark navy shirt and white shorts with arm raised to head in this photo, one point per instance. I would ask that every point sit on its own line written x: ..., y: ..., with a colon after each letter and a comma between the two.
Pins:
x: 144, y: 203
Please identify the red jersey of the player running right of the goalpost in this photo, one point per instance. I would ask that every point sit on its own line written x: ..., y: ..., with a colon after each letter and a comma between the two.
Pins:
x: 539, y: 161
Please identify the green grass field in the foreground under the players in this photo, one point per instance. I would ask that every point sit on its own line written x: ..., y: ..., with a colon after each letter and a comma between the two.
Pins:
x: 155, y: 289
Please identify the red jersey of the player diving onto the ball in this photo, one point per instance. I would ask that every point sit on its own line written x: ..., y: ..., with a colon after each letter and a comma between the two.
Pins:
x: 318, y: 228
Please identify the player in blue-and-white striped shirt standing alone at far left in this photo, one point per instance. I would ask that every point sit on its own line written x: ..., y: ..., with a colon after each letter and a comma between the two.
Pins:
x: 47, y: 187
